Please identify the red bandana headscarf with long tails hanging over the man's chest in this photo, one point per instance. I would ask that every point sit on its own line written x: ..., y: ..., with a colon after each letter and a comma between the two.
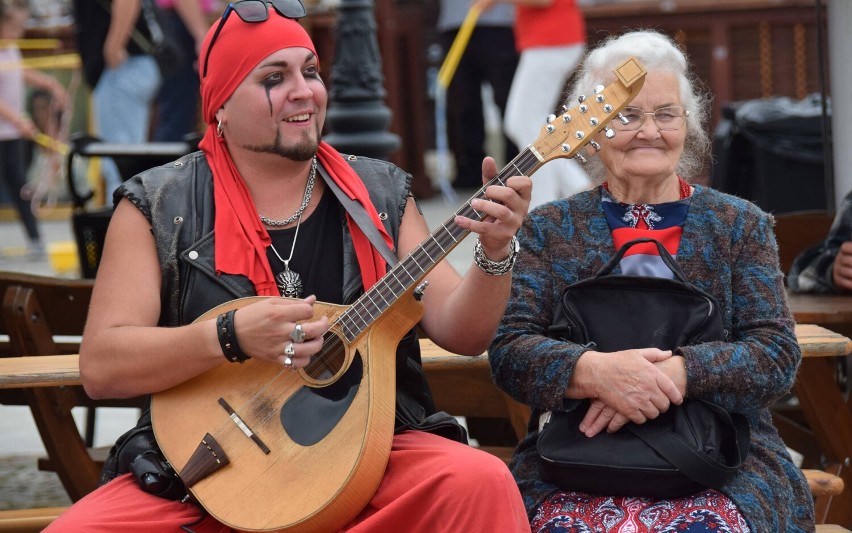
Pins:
x: 239, y: 47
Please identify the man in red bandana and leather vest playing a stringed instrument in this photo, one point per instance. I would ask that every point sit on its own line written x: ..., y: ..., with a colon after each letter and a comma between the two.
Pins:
x: 267, y: 208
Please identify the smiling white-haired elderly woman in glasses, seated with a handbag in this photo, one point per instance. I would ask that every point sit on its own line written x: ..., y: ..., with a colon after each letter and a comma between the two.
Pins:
x: 726, y: 247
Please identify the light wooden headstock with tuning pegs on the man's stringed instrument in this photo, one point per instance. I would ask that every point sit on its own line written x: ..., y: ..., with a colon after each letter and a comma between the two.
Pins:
x: 565, y: 134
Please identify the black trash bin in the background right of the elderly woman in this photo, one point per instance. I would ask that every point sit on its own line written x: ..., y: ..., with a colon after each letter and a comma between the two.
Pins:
x: 770, y: 151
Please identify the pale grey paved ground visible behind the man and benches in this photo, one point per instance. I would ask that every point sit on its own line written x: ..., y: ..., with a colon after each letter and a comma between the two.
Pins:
x: 21, y: 484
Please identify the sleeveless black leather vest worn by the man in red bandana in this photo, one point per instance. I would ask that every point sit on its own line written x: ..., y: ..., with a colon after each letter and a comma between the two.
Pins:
x: 177, y: 199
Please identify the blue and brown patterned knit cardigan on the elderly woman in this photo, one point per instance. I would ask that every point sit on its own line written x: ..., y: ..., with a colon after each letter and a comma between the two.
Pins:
x: 728, y: 249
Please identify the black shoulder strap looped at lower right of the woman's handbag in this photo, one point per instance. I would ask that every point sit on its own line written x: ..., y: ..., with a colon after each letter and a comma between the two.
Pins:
x: 697, y: 466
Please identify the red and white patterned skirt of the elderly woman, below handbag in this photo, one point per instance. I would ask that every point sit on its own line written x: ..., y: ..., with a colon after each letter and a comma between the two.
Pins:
x: 578, y: 512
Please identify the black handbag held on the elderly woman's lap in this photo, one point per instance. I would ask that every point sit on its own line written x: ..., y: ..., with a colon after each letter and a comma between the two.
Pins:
x: 690, y: 447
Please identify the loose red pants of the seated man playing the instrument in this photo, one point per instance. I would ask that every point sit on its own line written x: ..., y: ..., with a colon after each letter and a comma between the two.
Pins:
x: 431, y: 485
